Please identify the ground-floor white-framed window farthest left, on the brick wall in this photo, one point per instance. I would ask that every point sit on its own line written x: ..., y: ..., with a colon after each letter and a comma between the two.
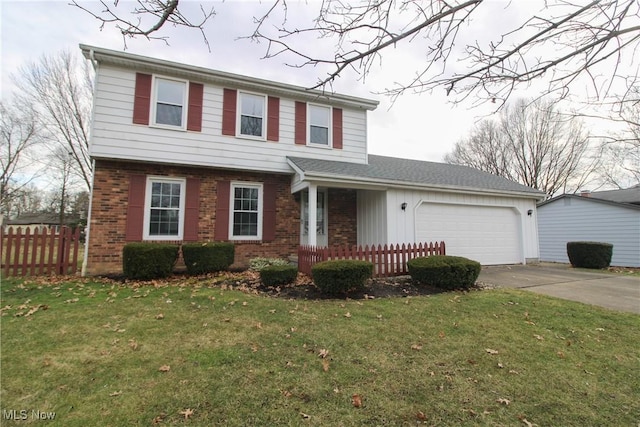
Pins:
x: 164, y: 208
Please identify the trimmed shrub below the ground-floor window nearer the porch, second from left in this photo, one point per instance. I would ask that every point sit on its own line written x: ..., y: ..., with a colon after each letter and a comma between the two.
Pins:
x: 202, y: 258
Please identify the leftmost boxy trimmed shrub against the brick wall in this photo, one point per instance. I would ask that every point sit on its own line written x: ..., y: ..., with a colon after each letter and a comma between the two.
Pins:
x: 145, y: 261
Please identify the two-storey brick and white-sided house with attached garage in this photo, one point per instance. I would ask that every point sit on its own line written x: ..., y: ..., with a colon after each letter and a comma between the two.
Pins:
x: 184, y: 153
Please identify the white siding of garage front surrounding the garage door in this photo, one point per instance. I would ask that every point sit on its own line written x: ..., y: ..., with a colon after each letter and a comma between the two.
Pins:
x: 401, y: 225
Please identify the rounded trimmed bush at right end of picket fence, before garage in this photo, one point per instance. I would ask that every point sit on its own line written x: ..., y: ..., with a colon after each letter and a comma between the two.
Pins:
x: 447, y: 272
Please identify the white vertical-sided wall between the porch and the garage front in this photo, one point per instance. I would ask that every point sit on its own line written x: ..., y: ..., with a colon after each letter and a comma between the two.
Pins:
x: 372, y: 218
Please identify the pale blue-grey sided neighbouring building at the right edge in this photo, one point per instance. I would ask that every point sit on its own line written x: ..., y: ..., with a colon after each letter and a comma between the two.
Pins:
x: 570, y: 218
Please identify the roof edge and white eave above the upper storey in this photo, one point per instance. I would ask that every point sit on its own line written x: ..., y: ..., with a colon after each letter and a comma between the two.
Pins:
x: 191, y: 72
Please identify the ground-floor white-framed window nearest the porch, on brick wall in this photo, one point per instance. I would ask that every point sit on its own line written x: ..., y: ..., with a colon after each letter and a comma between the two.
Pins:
x: 246, y: 211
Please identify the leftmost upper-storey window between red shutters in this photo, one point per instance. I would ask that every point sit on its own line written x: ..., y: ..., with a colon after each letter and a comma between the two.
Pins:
x: 170, y: 100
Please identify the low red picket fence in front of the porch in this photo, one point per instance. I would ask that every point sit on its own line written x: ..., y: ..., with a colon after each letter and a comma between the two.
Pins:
x: 387, y: 260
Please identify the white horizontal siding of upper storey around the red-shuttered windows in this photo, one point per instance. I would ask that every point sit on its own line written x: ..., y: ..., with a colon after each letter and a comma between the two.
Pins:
x: 115, y: 136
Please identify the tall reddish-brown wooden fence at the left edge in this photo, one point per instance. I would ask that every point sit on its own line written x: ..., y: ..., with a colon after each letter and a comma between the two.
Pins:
x: 39, y: 252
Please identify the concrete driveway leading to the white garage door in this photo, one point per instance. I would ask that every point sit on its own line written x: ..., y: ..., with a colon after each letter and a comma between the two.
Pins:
x: 614, y: 291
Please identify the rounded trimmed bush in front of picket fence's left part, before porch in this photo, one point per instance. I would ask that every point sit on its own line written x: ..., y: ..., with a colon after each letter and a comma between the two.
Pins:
x: 341, y: 276
